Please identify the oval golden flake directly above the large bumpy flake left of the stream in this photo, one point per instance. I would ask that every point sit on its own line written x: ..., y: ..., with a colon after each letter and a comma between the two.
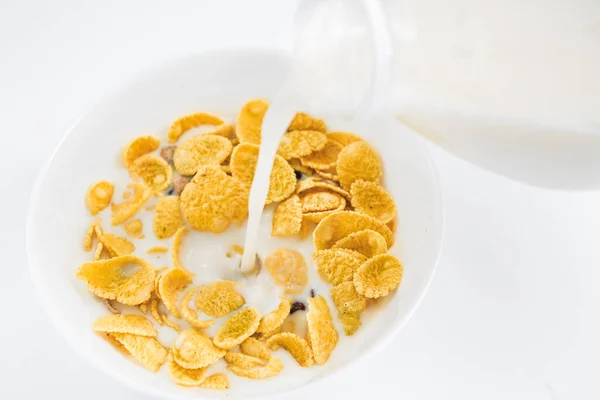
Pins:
x: 199, y: 151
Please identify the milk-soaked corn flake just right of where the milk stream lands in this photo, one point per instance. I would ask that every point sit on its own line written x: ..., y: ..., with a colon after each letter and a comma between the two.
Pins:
x: 288, y: 269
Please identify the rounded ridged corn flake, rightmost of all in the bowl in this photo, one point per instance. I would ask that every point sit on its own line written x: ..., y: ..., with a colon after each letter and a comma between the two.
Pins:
x: 378, y: 275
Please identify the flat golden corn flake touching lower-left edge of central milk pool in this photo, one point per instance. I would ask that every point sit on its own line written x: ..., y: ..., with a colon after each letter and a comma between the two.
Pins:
x: 218, y: 299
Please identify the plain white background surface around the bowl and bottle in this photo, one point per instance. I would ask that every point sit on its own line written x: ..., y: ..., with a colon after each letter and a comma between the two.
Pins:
x: 513, y: 309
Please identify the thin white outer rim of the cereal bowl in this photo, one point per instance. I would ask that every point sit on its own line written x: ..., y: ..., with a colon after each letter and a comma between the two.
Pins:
x: 43, y: 294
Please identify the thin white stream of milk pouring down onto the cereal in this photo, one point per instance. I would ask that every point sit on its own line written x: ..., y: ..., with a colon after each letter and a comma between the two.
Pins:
x: 275, y: 123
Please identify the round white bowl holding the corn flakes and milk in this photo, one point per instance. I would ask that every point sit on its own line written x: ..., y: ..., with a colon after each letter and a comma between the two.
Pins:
x: 220, y: 82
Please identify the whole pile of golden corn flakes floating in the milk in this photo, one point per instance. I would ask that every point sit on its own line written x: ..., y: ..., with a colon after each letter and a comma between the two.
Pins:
x: 324, y: 182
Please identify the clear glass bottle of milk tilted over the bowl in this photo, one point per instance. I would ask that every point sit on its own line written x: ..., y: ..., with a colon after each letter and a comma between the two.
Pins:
x: 513, y: 86
